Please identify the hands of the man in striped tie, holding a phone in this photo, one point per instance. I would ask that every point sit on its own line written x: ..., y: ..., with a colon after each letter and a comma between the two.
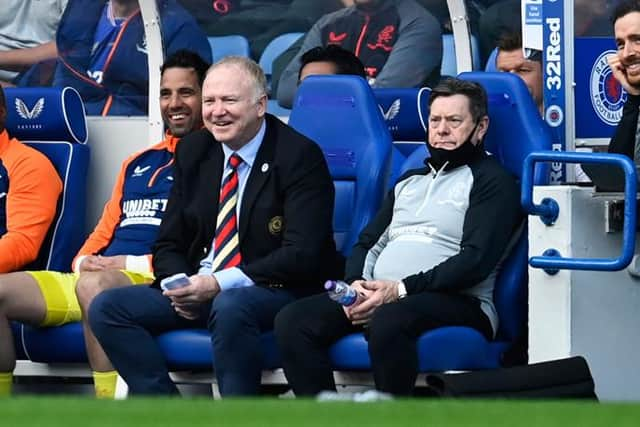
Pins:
x: 186, y: 300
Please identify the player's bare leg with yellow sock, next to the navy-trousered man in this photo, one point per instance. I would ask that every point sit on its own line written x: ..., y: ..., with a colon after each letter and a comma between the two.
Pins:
x: 89, y: 285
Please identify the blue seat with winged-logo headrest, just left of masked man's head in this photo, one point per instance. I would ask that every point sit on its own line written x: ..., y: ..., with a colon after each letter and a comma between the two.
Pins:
x: 406, y: 111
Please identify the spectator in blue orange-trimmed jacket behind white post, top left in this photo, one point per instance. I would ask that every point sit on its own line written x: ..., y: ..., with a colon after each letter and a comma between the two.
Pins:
x: 103, y: 51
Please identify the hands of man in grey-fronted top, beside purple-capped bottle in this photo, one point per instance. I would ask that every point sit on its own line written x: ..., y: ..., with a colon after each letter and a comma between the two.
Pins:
x: 373, y: 293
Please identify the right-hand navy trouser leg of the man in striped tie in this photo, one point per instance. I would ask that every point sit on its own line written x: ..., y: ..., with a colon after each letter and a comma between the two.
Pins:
x: 238, y: 317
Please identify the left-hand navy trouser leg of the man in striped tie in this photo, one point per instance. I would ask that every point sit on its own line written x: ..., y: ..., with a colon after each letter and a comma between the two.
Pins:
x: 125, y: 321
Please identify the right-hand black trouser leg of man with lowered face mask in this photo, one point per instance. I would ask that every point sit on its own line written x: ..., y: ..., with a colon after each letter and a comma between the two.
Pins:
x: 394, y: 329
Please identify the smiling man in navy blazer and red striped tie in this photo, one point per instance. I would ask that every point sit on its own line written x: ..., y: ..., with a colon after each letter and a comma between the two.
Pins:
x: 249, y: 221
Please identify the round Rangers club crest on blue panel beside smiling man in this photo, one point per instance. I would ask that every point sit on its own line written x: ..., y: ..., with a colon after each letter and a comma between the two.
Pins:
x: 607, y: 95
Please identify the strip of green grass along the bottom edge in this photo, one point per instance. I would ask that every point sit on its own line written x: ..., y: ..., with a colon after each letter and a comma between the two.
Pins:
x: 86, y: 412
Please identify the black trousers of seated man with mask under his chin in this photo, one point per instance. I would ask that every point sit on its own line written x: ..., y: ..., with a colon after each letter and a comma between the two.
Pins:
x: 307, y: 328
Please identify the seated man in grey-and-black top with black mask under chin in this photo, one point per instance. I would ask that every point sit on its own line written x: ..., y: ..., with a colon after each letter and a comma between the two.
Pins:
x: 428, y: 259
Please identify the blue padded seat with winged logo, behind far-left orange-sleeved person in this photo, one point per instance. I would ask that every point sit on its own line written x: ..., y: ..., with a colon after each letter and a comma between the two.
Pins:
x: 52, y: 120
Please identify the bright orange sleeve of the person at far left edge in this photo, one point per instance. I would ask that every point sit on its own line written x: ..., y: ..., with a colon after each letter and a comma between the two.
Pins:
x: 34, y: 189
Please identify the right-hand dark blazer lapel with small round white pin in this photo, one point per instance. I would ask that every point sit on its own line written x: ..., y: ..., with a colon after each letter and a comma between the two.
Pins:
x: 262, y: 167
